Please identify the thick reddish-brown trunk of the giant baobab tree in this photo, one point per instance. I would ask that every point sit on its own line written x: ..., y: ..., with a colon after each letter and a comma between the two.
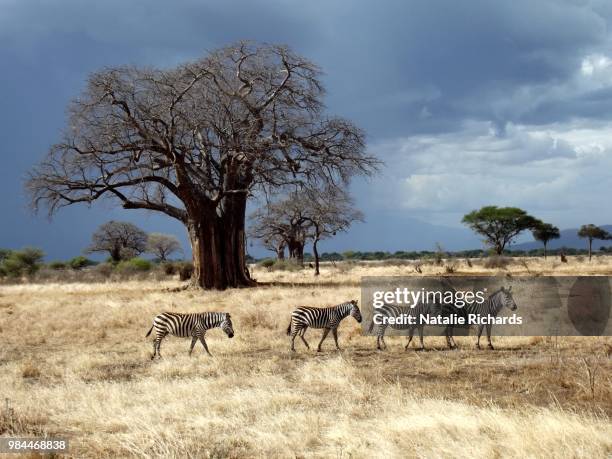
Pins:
x: 218, y: 246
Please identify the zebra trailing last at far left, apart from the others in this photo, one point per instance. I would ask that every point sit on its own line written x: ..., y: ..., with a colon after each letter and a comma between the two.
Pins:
x: 189, y: 325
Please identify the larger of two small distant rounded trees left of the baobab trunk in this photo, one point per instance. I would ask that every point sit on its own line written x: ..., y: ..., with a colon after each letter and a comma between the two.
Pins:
x: 121, y: 240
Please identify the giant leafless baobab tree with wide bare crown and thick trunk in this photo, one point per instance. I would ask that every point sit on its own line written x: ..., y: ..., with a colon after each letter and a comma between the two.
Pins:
x: 195, y: 141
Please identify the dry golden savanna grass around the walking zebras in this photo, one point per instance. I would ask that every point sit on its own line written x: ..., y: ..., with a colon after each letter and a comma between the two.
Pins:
x: 75, y: 362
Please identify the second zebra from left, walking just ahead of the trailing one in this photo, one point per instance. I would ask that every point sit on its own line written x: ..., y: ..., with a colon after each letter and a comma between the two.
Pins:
x: 326, y: 318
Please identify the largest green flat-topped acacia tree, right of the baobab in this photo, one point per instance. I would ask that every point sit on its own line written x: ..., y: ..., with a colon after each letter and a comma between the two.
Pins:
x: 499, y: 225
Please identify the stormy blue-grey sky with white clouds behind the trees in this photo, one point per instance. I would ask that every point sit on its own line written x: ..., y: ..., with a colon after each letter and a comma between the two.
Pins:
x: 468, y: 103
